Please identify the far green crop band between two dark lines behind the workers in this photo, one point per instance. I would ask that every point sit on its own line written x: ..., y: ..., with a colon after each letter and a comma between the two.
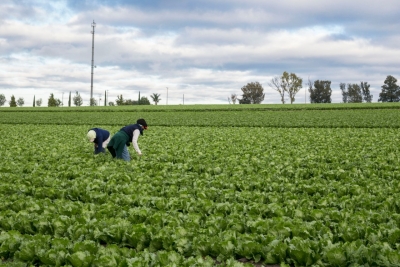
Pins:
x: 353, y: 118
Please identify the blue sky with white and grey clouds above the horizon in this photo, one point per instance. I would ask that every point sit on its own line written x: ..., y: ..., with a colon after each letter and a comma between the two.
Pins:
x: 202, y: 51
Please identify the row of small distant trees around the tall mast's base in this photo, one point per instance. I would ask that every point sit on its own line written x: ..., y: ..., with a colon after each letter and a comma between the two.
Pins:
x: 78, y: 101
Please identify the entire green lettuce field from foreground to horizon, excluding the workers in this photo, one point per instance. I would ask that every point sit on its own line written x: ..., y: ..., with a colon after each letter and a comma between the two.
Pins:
x: 225, y: 185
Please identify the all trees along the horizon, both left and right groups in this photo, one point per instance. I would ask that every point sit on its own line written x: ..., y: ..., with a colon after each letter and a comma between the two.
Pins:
x: 287, y: 85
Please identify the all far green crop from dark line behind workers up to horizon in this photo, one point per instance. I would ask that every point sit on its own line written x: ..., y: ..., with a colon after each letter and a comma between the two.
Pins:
x: 308, y: 116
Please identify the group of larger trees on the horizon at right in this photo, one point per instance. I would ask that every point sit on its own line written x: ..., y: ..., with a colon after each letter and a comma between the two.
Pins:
x: 289, y: 84
